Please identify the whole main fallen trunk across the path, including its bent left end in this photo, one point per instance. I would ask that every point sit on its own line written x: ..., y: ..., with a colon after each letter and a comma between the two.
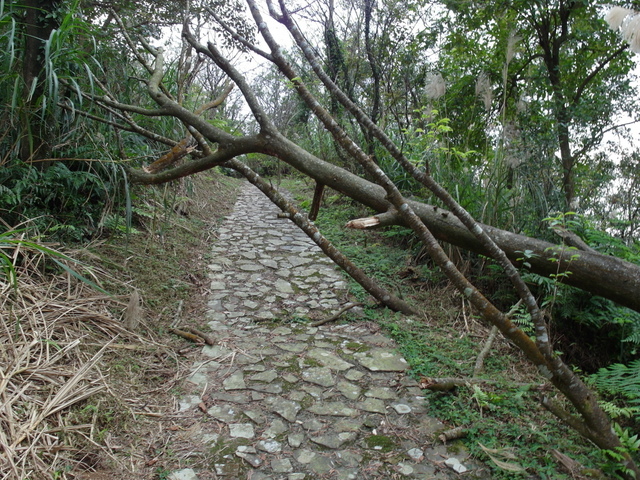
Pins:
x: 603, y: 275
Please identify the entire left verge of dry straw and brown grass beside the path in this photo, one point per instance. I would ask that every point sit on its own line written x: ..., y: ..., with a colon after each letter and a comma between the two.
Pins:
x: 88, y: 387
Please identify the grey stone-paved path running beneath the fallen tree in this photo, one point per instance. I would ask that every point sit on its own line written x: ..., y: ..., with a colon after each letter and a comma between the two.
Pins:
x: 277, y: 399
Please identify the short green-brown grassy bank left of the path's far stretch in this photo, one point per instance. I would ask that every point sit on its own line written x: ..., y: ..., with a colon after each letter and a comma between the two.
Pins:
x: 165, y: 254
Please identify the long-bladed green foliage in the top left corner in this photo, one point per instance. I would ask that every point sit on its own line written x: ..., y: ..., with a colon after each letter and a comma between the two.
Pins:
x: 37, y: 119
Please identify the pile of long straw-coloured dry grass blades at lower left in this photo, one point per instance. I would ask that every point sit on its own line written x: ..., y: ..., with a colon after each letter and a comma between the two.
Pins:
x: 54, y: 331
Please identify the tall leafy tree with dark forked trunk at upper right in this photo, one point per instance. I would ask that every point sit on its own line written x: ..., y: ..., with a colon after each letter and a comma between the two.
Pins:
x: 566, y: 85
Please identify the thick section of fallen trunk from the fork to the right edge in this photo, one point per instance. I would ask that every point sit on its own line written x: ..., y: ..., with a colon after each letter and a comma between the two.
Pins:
x: 603, y: 275
